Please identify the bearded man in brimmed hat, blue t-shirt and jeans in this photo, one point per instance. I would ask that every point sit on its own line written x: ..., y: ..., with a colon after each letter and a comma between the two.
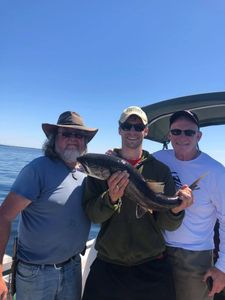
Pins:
x: 53, y: 227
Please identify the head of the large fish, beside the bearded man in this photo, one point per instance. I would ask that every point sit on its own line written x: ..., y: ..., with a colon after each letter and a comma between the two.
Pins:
x: 94, y: 166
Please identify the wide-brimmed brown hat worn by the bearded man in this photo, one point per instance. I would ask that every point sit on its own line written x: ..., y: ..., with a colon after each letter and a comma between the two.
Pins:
x: 70, y: 119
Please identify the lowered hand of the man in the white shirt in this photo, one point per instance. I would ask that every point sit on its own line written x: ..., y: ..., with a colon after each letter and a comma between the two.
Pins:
x: 218, y: 278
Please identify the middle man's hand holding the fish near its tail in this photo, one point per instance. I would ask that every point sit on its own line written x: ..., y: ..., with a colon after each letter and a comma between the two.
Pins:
x: 186, y: 195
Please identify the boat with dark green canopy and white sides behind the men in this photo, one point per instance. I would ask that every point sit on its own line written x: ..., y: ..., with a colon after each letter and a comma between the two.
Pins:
x: 210, y: 108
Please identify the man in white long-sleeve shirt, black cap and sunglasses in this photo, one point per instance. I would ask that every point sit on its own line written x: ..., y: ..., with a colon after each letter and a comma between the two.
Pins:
x: 190, y: 247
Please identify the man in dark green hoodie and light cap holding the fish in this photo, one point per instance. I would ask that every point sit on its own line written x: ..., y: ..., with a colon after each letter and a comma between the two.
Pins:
x: 130, y: 262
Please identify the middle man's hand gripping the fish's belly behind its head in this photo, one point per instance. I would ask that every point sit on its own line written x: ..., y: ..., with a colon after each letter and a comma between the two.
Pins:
x: 117, y: 184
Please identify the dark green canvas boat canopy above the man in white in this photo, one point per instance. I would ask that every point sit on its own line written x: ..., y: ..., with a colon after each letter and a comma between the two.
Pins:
x: 210, y: 109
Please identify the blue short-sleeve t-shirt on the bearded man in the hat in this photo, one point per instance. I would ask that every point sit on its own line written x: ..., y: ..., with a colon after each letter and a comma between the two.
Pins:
x: 54, y: 226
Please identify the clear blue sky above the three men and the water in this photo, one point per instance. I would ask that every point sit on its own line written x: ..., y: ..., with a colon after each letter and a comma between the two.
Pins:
x: 97, y: 57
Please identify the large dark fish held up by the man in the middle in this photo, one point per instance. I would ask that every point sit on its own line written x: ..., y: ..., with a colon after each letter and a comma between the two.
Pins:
x: 102, y: 166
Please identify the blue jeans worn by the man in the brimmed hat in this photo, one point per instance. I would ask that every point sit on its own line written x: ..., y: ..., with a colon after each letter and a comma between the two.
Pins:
x: 49, y: 283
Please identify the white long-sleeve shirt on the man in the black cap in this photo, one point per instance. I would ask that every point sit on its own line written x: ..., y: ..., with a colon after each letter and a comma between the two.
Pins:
x: 197, y: 229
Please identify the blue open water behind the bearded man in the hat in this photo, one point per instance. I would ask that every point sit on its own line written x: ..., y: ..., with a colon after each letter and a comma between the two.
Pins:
x: 12, y: 160
